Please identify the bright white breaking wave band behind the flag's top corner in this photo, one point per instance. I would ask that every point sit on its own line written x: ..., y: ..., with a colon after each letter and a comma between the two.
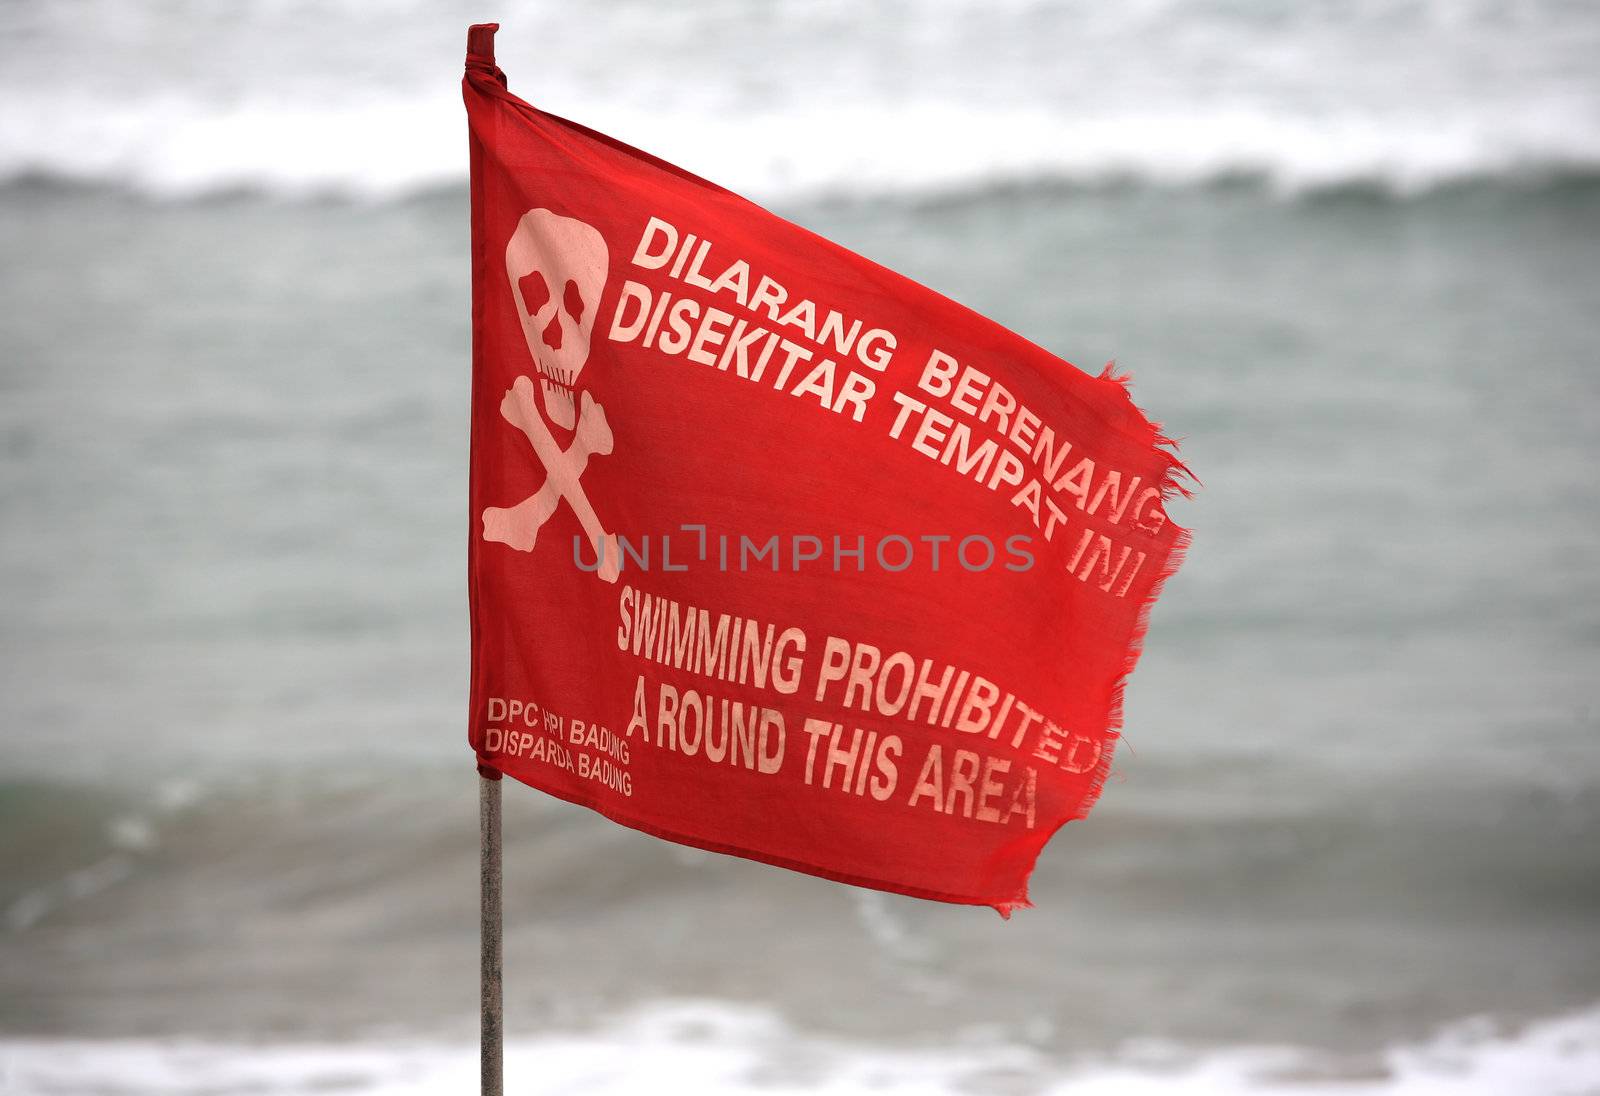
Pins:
x: 382, y: 150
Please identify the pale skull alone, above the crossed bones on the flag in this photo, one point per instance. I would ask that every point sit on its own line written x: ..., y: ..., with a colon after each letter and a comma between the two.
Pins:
x: 558, y: 270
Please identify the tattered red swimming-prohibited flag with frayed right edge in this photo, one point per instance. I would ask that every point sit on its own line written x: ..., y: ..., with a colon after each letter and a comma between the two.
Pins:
x: 775, y: 553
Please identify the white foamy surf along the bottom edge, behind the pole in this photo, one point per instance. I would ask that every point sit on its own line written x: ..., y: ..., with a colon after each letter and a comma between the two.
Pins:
x: 719, y: 1050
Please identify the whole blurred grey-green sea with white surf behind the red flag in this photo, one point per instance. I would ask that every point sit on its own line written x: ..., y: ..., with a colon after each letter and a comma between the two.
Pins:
x: 1350, y: 254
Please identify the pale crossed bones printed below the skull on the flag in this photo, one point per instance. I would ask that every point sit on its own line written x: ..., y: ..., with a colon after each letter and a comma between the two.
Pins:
x: 519, y: 526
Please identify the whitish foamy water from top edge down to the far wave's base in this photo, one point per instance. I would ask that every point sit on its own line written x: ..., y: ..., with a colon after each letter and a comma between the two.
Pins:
x: 818, y: 98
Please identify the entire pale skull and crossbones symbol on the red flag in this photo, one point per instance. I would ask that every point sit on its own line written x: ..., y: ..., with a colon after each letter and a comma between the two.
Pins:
x: 558, y: 268
